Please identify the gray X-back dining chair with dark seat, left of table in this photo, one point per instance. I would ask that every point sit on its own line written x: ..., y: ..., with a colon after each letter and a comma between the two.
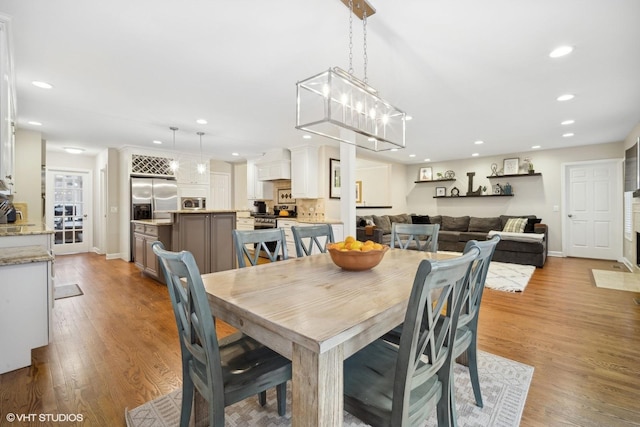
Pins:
x: 222, y: 372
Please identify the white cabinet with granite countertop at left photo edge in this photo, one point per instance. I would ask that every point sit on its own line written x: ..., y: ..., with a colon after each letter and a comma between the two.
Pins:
x: 26, y: 292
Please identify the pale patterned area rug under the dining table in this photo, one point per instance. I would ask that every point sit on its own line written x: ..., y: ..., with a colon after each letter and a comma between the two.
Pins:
x: 504, y: 383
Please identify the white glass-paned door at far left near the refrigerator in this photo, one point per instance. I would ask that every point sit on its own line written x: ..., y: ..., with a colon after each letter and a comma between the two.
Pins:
x: 68, y: 210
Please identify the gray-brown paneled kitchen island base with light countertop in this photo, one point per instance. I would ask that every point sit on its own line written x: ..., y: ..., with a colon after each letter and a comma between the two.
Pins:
x: 207, y: 235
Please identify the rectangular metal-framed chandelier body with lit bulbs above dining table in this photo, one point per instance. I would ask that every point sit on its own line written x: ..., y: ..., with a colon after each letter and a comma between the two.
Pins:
x: 337, y: 105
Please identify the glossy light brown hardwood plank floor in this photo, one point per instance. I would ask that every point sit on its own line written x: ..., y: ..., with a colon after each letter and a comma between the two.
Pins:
x: 116, y: 346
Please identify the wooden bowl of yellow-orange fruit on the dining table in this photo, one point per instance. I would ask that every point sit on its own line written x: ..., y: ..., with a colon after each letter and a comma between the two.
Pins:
x: 354, y: 255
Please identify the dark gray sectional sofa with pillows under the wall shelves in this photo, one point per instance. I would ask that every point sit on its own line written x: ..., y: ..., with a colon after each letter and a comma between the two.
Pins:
x: 517, y: 248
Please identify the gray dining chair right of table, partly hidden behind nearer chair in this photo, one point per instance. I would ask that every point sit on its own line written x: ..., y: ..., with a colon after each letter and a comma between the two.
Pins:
x: 465, y: 348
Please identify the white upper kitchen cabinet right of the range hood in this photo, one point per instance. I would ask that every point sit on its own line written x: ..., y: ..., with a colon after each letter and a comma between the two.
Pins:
x: 304, y: 172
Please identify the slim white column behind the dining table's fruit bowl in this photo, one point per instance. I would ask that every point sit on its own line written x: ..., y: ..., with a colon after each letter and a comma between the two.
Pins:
x: 348, y: 185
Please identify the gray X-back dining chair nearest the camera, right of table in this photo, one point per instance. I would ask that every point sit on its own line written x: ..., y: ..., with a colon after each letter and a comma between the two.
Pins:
x: 388, y: 385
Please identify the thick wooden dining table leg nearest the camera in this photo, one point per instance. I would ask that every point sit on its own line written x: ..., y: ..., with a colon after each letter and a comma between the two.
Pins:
x: 317, y: 387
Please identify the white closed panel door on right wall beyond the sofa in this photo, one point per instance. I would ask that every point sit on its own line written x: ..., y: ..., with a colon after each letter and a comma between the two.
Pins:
x: 593, y: 209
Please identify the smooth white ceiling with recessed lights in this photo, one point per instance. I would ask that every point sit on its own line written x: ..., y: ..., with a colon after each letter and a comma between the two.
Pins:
x: 125, y: 71
